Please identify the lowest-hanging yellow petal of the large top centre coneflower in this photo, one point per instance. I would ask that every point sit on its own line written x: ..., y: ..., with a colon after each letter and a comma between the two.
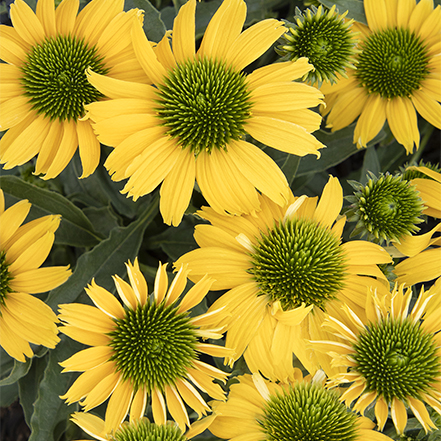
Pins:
x: 177, y: 188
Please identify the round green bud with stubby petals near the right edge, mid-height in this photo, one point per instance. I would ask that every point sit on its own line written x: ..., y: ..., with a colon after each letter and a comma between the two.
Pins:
x: 387, y: 208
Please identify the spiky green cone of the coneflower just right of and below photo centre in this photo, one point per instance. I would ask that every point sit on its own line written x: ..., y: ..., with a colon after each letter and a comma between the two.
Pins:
x: 299, y: 261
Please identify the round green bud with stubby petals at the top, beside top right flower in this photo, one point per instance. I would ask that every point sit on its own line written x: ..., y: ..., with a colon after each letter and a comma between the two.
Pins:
x: 324, y: 38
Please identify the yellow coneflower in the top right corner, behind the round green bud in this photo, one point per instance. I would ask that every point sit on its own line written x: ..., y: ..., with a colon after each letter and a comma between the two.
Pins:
x: 397, y: 73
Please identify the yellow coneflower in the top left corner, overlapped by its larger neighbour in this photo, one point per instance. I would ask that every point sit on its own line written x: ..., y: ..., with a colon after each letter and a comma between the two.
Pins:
x: 44, y: 85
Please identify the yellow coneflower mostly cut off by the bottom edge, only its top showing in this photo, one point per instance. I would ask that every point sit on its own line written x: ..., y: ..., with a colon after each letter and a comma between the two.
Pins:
x: 137, y: 430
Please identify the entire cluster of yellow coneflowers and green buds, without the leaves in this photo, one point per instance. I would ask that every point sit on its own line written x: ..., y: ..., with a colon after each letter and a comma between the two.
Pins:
x: 295, y: 292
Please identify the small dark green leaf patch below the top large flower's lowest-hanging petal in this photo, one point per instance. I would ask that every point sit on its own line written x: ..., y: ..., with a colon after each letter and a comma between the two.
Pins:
x: 176, y: 241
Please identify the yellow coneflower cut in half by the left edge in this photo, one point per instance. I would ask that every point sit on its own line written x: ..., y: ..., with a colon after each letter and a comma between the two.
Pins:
x: 25, y: 319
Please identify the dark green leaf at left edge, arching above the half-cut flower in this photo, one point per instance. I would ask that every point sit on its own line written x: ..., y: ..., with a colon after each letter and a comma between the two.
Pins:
x: 75, y: 229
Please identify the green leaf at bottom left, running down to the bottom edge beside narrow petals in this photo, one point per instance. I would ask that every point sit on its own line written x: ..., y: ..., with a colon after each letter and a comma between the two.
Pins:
x: 49, y: 409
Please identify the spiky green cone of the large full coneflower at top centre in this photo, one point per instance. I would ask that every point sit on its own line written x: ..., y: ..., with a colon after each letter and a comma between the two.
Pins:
x: 204, y: 104
